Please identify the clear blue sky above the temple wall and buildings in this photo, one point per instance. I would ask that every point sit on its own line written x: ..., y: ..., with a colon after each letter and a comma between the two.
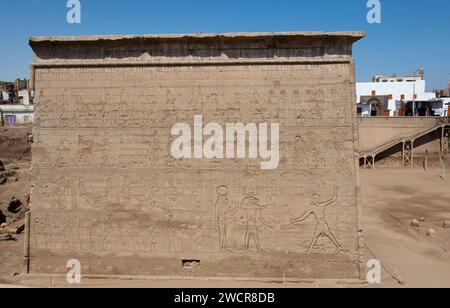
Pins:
x: 413, y: 33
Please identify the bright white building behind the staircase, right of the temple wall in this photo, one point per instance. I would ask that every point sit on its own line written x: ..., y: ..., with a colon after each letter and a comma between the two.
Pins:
x: 391, y: 95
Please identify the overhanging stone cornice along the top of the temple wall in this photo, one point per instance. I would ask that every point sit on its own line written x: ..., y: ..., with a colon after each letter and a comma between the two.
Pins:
x: 195, y: 49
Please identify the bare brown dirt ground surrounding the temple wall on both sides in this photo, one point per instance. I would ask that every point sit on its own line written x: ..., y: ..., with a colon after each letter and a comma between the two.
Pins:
x: 391, y: 199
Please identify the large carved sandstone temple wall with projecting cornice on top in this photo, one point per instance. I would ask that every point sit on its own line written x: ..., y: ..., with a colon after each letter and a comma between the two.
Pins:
x: 107, y: 191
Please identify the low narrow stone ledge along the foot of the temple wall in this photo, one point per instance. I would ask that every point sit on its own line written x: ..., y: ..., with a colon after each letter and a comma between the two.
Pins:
x: 107, y: 281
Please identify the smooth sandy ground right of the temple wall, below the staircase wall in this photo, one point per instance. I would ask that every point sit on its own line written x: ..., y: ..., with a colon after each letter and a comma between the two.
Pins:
x: 392, y: 198
